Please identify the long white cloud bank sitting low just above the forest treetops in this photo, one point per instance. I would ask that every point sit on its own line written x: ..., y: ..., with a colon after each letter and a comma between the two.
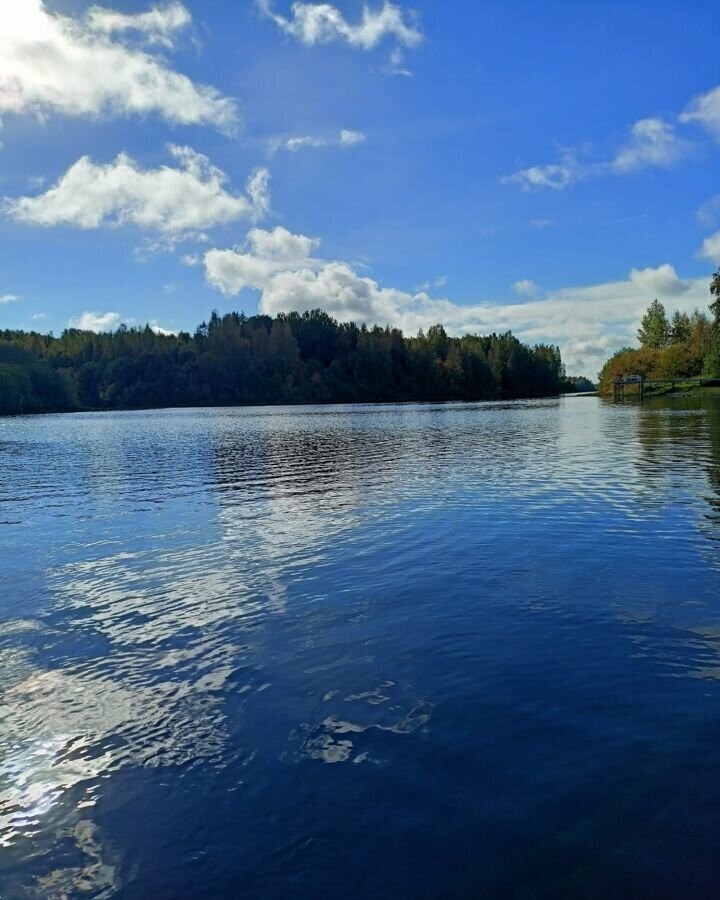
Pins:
x: 588, y: 322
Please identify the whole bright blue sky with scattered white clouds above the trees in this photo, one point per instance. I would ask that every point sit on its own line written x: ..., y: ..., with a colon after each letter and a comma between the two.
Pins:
x: 548, y: 168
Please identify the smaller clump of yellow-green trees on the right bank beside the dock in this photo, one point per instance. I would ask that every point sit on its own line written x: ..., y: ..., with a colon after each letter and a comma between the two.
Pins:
x: 681, y: 346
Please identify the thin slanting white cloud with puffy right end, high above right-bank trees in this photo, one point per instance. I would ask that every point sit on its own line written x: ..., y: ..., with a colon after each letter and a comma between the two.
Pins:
x: 652, y: 143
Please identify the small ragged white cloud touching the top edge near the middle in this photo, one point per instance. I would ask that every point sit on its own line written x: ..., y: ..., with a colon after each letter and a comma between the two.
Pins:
x: 322, y: 23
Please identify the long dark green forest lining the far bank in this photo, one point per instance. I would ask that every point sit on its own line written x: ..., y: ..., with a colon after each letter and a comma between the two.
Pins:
x: 293, y: 358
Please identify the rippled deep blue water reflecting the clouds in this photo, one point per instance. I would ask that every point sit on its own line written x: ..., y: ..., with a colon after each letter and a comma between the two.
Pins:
x: 416, y: 651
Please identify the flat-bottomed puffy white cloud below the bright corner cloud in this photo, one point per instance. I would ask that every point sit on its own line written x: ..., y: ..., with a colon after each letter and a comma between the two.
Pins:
x: 176, y: 202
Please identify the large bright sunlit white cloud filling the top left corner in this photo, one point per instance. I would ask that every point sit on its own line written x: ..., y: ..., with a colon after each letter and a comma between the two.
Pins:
x: 51, y: 63
